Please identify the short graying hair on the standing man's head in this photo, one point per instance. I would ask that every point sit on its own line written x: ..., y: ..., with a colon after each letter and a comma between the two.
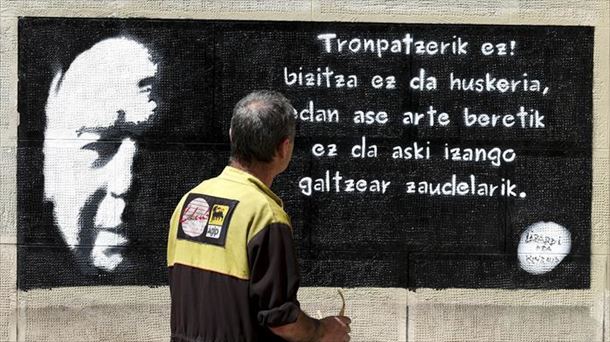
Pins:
x: 260, y: 122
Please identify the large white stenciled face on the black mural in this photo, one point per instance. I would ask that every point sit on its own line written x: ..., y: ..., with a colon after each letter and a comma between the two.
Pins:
x: 94, y: 113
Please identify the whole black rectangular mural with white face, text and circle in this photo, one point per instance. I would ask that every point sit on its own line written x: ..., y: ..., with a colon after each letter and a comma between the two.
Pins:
x: 426, y: 155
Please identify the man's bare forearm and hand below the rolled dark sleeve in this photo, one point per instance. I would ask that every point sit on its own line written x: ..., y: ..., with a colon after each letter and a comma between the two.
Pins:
x: 307, y: 329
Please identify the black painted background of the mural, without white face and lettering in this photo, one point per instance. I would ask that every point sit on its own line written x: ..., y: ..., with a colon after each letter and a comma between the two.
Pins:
x: 343, y: 239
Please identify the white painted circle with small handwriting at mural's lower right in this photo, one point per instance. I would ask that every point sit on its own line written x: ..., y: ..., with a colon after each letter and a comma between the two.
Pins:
x: 542, y: 246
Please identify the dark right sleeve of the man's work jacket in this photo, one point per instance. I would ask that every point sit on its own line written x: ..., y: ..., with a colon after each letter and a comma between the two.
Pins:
x: 274, y: 275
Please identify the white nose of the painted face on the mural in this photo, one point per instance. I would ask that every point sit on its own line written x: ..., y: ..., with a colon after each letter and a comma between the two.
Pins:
x: 119, y: 178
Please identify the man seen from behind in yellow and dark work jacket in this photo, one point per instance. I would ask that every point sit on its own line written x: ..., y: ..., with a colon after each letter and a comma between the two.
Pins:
x: 233, y: 271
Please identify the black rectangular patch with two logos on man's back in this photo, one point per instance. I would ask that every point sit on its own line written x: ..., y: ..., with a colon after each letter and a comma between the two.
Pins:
x: 206, y: 219
